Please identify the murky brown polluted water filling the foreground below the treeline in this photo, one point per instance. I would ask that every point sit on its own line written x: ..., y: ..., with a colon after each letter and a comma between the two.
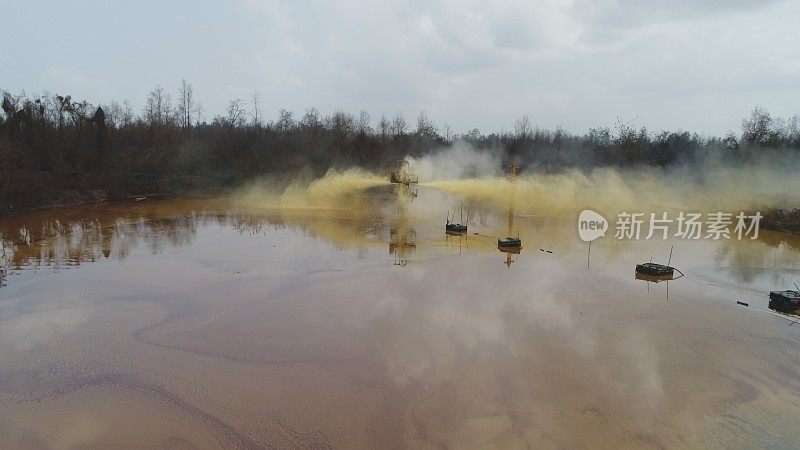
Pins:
x: 208, y: 323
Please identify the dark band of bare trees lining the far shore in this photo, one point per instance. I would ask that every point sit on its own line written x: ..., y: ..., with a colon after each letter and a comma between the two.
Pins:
x: 57, y: 150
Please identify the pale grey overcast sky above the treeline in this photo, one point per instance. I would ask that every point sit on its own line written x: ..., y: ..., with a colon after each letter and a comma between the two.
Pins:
x: 696, y: 65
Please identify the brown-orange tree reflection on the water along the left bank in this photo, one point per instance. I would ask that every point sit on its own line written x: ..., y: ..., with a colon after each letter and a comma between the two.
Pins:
x: 63, y: 238
